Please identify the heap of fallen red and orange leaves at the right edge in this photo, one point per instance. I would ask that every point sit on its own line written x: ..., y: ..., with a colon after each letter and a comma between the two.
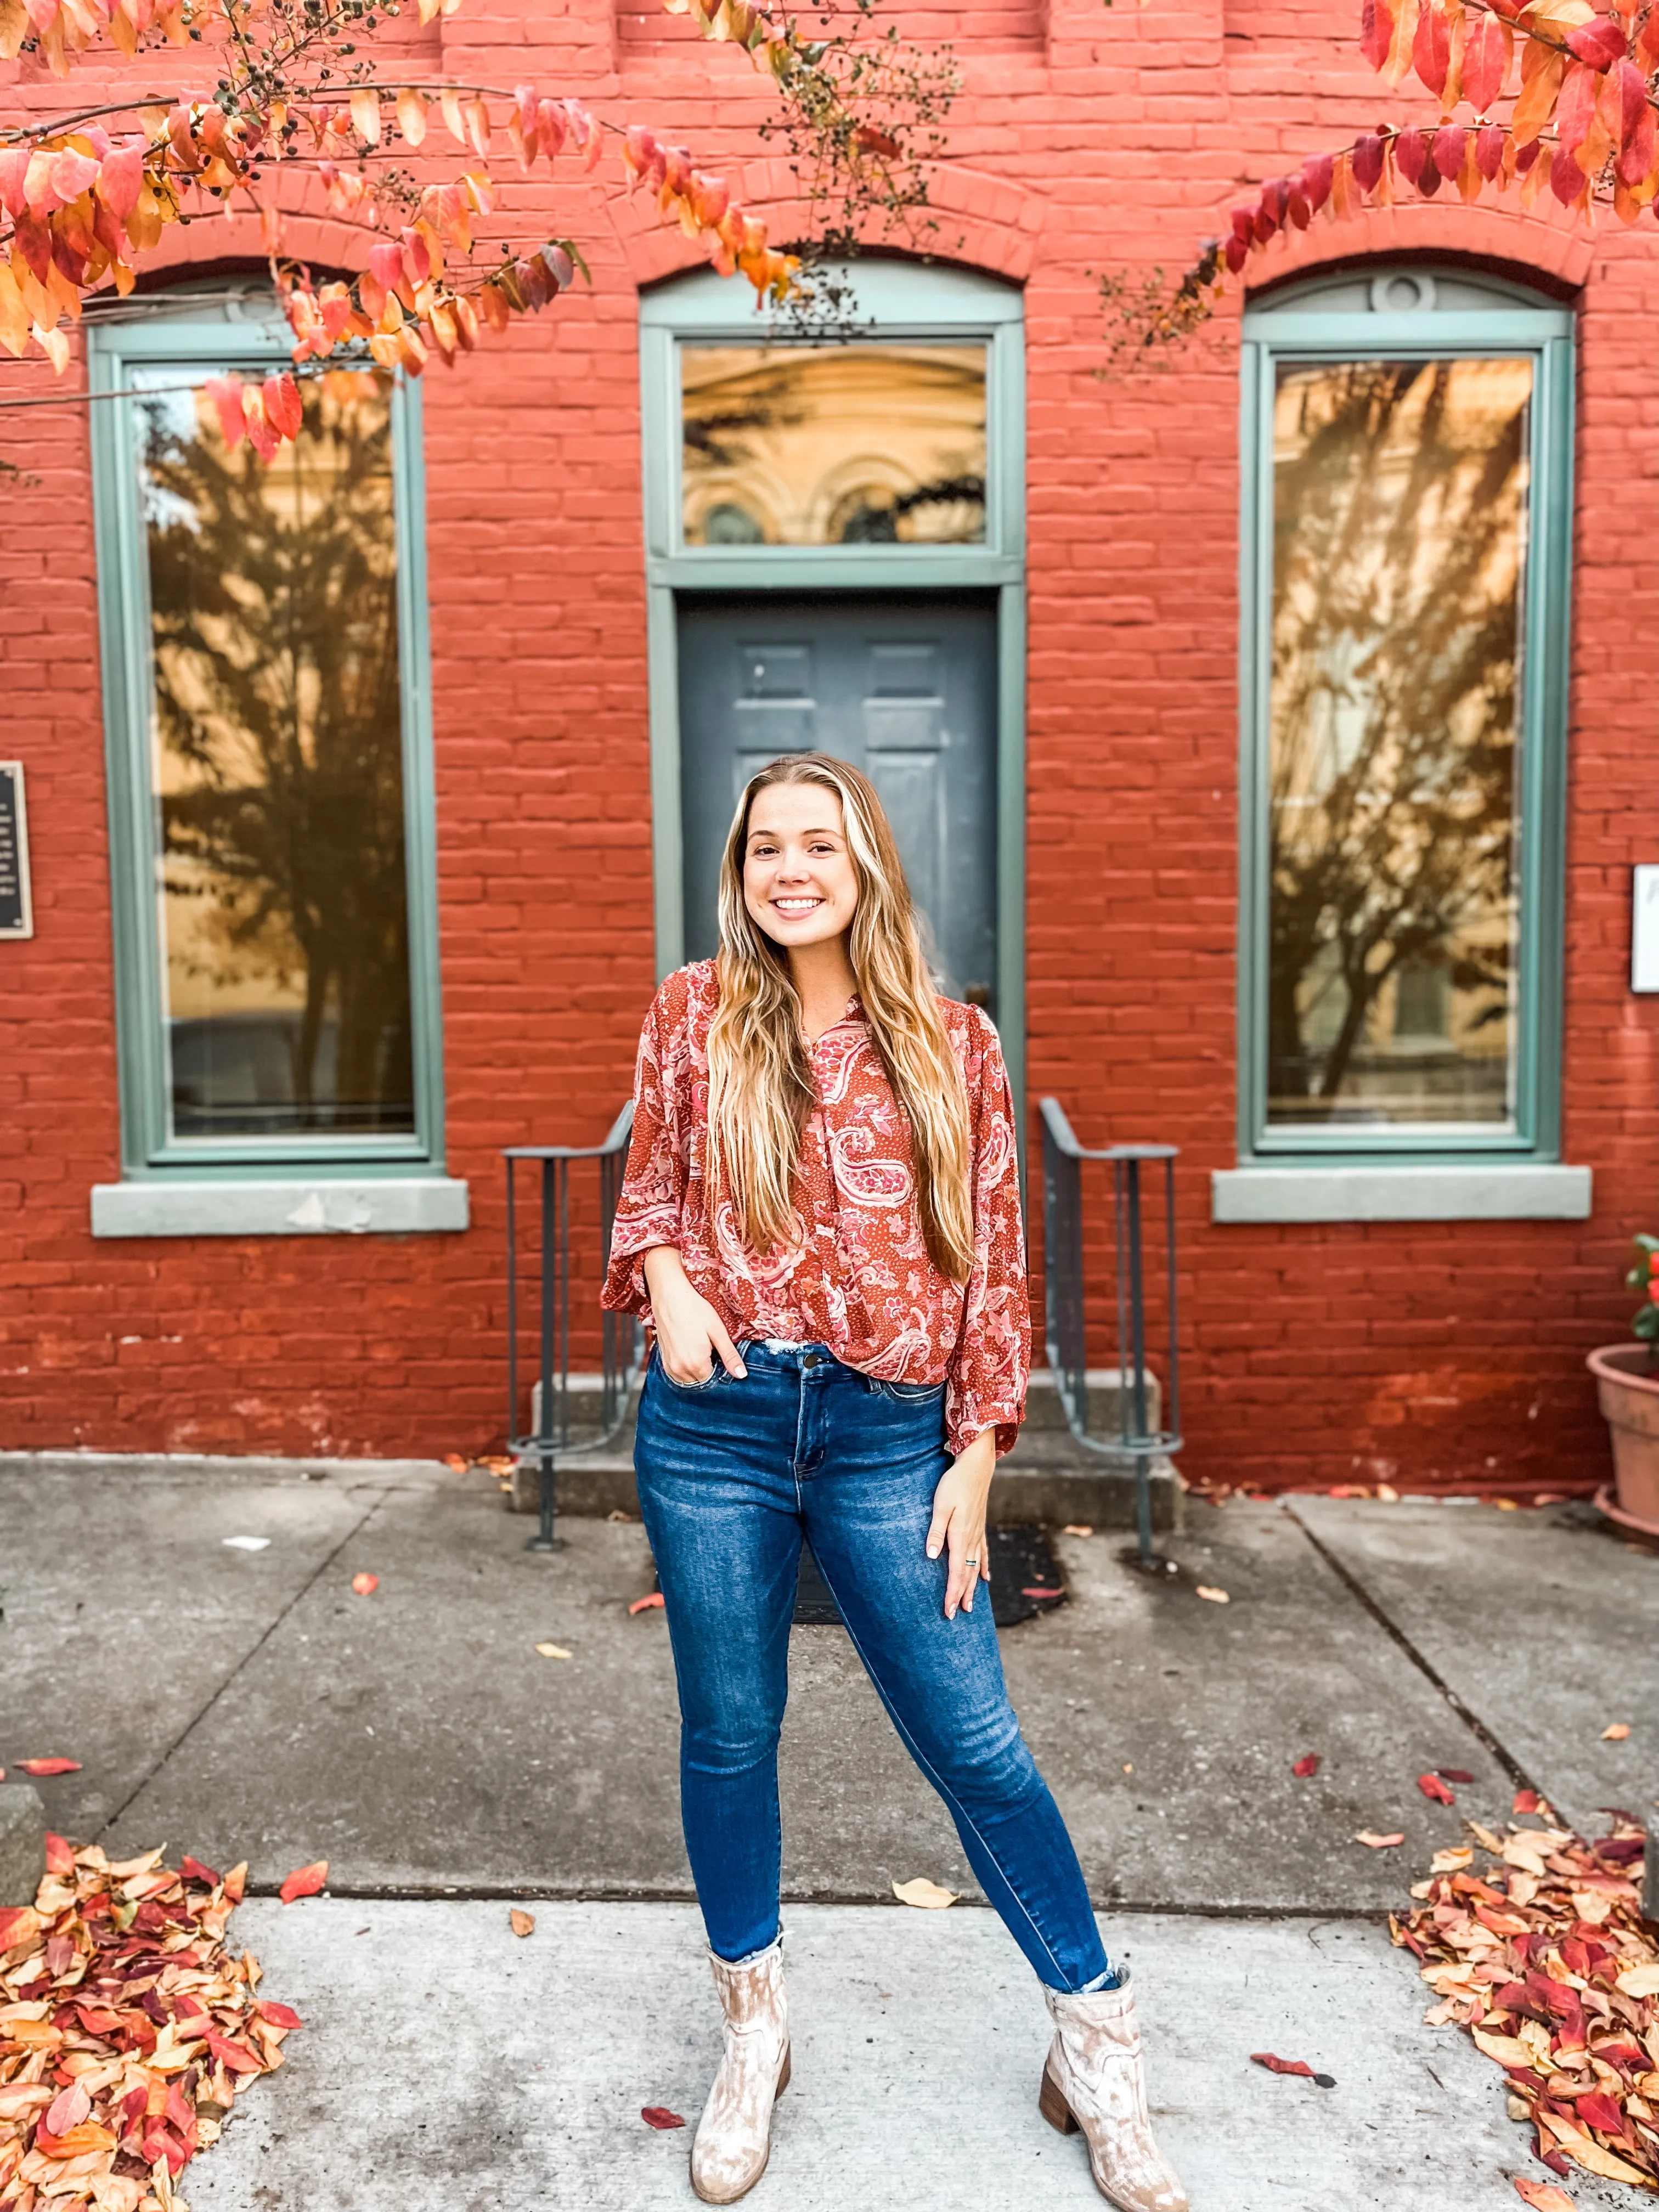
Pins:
x: 1550, y: 1965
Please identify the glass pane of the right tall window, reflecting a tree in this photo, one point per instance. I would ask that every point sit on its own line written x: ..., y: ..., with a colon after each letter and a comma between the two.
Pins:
x: 1397, y: 640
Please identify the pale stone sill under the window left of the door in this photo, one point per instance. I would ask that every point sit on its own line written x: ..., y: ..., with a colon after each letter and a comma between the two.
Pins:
x: 388, y: 1207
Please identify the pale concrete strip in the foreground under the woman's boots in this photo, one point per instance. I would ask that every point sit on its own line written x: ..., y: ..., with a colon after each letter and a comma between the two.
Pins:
x: 450, y: 2067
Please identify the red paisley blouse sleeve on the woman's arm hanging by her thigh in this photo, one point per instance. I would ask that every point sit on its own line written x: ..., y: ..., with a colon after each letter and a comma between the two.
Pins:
x: 992, y: 1364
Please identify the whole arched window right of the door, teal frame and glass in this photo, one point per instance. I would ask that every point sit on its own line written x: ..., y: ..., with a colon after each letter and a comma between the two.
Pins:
x: 1408, y: 446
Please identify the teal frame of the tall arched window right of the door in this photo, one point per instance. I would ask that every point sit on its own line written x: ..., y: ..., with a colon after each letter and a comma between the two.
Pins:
x: 1474, y: 317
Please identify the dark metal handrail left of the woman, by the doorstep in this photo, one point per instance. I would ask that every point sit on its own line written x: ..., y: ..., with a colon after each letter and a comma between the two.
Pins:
x: 620, y: 1335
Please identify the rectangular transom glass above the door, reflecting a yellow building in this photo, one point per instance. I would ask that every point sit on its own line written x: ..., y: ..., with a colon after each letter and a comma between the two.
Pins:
x: 817, y: 446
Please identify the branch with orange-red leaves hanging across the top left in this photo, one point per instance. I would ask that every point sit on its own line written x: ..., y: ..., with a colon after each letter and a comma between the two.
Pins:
x: 85, y: 202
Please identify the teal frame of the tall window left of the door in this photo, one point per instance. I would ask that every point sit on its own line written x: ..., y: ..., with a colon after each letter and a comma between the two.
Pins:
x: 244, y: 333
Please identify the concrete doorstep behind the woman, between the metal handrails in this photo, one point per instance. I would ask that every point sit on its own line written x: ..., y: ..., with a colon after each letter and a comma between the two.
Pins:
x: 1047, y: 1479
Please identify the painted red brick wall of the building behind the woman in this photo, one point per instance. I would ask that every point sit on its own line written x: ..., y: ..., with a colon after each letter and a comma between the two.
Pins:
x: 1423, y: 1355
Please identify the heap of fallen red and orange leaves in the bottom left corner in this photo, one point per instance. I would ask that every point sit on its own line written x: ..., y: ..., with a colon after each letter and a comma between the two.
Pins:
x: 125, y: 2032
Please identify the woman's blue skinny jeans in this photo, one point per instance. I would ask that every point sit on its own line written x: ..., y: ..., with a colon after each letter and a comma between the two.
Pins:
x: 731, y: 1477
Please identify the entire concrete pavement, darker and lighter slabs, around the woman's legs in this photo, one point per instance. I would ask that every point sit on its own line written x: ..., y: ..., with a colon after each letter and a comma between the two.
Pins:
x: 249, y: 1704
